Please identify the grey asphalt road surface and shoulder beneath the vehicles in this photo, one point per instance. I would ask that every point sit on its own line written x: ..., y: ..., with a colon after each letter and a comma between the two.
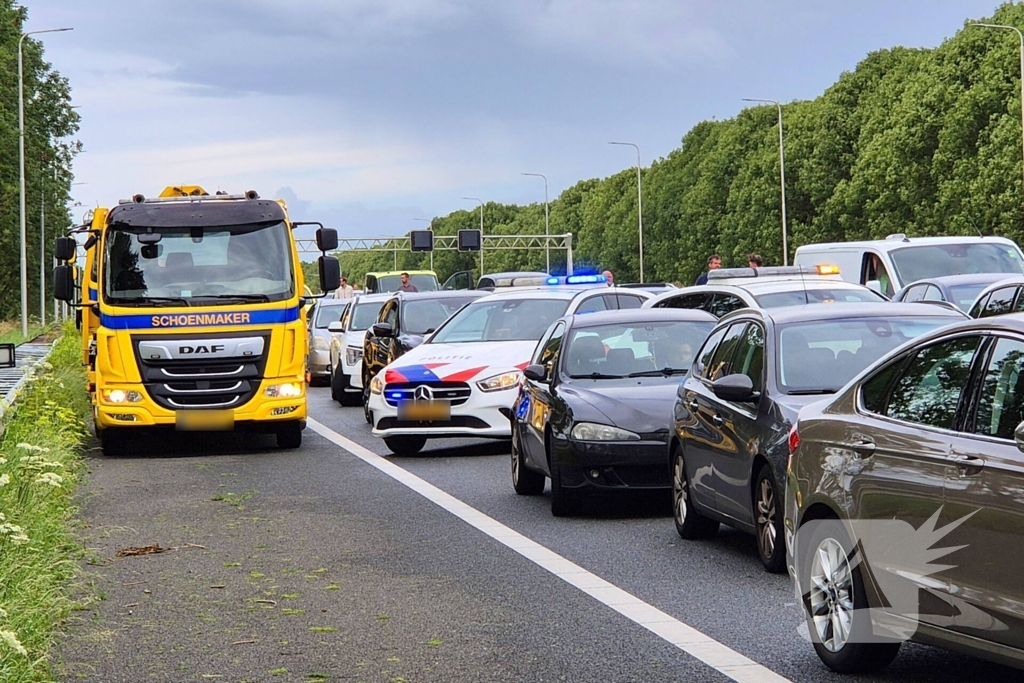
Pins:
x: 314, y: 565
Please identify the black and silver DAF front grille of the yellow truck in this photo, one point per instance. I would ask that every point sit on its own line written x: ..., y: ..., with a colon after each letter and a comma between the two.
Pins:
x: 192, y: 383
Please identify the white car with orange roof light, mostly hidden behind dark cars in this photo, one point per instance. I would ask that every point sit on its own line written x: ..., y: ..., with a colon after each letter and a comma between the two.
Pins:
x: 732, y: 289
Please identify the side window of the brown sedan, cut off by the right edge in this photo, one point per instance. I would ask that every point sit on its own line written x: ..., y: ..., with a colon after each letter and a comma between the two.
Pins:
x: 1001, y: 402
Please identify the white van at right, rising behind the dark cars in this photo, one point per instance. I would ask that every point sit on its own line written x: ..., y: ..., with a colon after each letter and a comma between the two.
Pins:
x: 890, y: 265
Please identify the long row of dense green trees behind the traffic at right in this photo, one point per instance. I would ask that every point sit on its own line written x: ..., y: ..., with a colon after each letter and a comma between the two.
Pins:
x: 923, y: 142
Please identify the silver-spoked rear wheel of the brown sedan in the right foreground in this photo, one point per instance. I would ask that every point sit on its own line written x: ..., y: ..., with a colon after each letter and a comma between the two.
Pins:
x: 836, y: 605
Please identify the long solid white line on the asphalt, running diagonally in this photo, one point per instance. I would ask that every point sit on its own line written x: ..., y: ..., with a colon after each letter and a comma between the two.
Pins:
x: 721, y: 658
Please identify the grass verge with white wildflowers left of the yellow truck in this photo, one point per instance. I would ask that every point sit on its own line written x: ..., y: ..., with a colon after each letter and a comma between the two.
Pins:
x: 40, y: 466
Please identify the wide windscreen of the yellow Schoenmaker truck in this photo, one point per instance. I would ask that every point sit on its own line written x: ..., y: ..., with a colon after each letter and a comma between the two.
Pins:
x: 223, y: 266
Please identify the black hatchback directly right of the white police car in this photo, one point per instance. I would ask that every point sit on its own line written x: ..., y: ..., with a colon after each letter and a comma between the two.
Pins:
x: 595, y: 406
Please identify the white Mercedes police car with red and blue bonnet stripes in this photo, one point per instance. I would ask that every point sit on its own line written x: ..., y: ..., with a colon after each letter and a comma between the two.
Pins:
x: 462, y: 380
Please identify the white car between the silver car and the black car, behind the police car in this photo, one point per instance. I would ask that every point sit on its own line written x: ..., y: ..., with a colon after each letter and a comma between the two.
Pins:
x: 347, y: 347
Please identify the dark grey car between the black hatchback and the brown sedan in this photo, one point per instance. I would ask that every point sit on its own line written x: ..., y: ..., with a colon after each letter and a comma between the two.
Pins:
x: 735, y: 410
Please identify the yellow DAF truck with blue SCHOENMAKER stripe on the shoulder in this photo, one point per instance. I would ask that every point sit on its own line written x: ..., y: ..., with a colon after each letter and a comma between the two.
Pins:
x: 193, y: 315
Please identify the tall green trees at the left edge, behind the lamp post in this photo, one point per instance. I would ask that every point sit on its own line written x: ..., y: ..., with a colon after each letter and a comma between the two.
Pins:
x: 50, y: 121
